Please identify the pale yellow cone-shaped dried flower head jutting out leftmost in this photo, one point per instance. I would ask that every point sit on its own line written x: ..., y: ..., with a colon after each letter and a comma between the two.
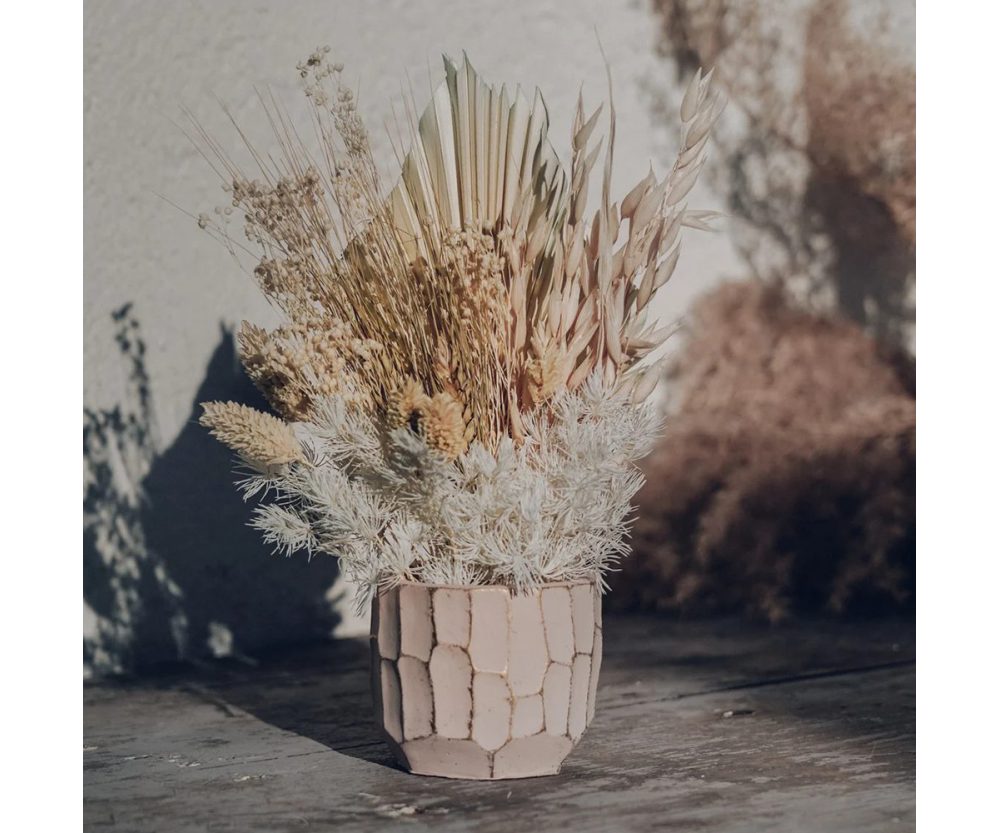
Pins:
x: 258, y: 437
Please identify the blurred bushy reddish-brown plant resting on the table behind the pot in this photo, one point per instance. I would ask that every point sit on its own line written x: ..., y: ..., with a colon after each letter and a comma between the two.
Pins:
x: 786, y: 479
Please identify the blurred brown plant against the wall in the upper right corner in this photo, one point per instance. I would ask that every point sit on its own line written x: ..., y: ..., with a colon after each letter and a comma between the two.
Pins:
x: 819, y: 163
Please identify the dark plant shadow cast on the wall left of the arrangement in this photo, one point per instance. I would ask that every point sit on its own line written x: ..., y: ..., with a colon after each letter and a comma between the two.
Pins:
x: 171, y: 570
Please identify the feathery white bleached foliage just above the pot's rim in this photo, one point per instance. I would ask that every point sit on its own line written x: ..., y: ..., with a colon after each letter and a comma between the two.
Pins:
x: 553, y: 508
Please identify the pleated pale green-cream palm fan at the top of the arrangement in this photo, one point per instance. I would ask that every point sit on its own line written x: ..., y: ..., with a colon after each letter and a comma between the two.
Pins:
x: 481, y: 162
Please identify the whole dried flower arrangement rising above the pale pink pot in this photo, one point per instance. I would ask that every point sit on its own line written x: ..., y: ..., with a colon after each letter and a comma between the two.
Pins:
x: 459, y: 383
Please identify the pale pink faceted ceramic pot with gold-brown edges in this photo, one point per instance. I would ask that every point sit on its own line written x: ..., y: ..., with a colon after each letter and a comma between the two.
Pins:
x: 481, y: 683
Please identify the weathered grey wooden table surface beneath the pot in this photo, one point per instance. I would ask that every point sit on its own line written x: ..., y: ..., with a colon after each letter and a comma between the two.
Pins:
x: 700, y: 726
